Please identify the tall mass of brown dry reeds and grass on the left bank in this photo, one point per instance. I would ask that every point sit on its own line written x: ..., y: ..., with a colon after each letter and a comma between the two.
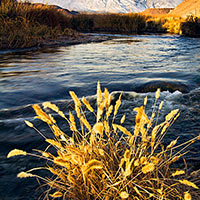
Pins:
x: 26, y: 25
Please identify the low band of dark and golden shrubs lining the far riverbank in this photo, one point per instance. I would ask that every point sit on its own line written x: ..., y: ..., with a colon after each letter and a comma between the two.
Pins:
x: 135, y: 24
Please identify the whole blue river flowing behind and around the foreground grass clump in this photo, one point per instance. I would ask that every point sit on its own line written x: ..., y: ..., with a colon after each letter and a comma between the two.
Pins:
x: 136, y: 65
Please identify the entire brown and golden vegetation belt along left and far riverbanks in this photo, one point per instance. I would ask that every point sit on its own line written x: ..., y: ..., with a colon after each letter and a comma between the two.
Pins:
x: 25, y: 25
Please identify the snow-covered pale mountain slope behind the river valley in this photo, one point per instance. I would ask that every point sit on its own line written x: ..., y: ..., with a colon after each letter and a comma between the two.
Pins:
x: 113, y: 6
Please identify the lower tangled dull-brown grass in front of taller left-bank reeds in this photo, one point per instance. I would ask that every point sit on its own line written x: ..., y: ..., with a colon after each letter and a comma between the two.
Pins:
x: 21, y: 33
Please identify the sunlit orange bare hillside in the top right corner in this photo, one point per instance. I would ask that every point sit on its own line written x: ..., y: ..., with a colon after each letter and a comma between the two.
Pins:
x: 187, y: 7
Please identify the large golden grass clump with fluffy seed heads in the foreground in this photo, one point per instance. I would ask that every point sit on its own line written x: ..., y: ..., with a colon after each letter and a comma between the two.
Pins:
x: 106, y: 161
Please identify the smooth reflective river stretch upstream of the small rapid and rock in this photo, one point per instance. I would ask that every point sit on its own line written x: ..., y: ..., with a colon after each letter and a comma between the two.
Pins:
x: 131, y: 60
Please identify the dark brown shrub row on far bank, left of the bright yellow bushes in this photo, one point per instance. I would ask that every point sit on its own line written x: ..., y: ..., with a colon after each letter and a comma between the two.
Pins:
x: 112, y: 23
